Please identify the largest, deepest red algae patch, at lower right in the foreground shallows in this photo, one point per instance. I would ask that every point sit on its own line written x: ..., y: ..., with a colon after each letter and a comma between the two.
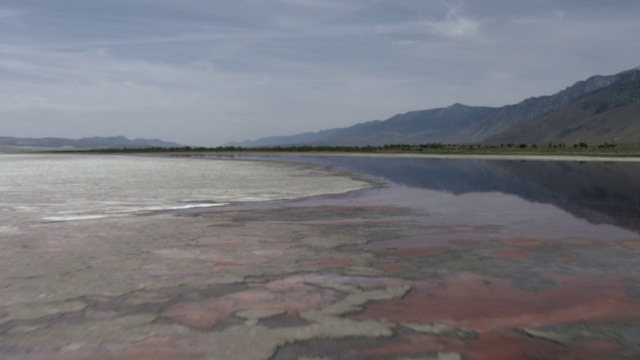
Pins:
x: 486, y: 304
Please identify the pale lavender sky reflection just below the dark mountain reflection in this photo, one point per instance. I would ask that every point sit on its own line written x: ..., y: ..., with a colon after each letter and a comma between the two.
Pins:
x: 492, y: 216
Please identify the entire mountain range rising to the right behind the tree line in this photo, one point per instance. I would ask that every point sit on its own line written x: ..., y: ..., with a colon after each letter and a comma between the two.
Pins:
x: 597, y: 110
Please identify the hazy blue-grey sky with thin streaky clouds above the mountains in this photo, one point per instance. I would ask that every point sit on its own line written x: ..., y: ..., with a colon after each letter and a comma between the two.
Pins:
x: 204, y: 73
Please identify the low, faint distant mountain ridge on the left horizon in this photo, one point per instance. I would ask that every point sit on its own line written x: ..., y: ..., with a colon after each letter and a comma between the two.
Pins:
x: 95, y: 142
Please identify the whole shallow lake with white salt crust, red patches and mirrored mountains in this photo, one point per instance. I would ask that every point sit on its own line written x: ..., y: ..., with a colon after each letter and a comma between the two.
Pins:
x: 333, y: 257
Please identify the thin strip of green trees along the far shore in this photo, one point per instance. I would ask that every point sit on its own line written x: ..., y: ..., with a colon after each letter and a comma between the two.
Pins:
x: 605, y: 149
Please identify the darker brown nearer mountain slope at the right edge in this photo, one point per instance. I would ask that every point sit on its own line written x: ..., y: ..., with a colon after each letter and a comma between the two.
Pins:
x: 610, y: 114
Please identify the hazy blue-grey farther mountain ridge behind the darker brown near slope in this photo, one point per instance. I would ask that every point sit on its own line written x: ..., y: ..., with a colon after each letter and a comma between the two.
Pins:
x: 457, y: 124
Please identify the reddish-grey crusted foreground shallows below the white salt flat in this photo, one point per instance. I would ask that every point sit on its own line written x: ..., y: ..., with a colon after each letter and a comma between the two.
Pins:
x: 374, y: 274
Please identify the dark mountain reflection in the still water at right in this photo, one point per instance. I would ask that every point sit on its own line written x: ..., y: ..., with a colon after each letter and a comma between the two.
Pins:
x: 598, y: 192
